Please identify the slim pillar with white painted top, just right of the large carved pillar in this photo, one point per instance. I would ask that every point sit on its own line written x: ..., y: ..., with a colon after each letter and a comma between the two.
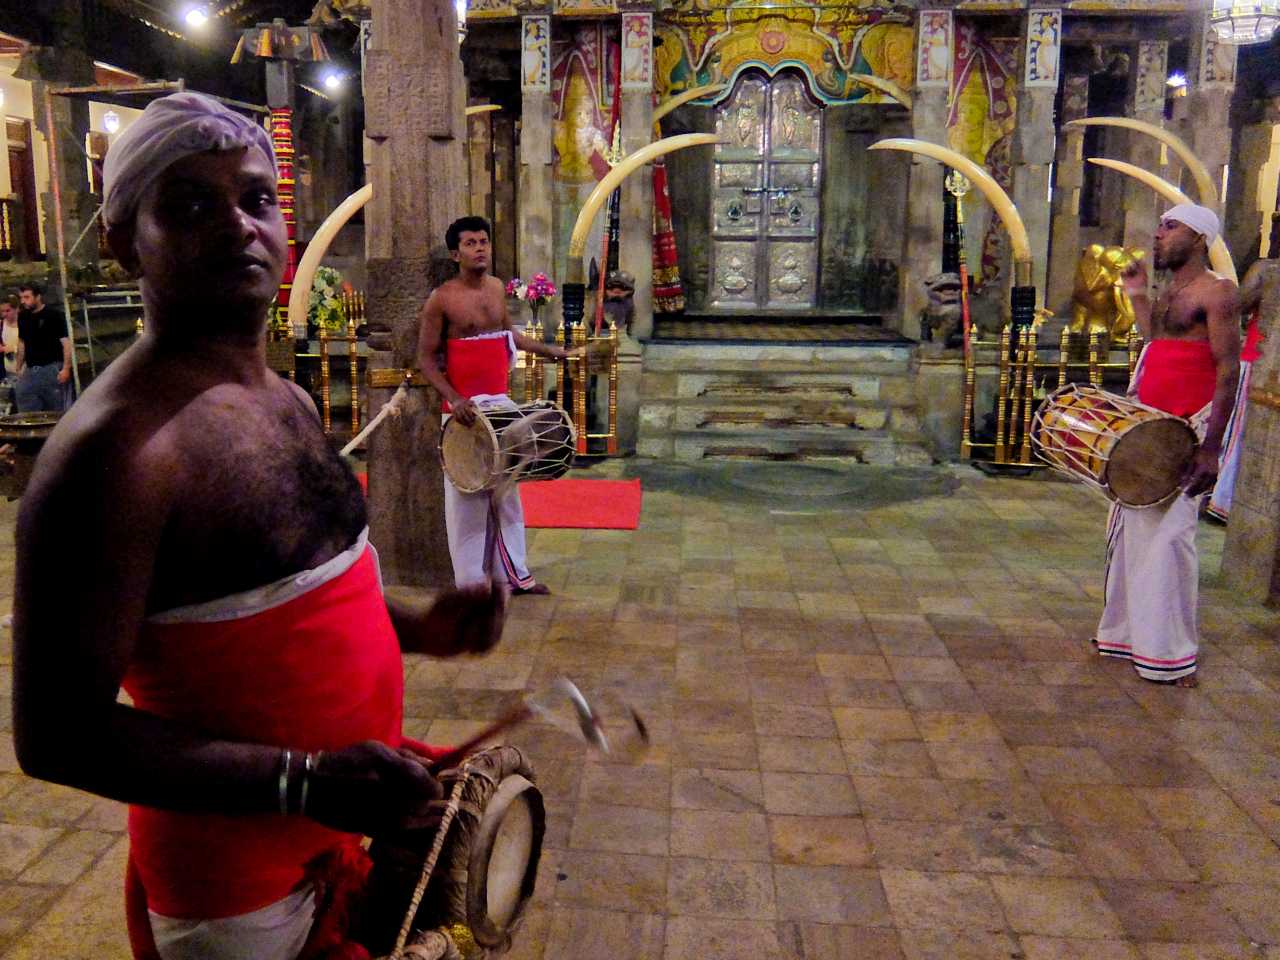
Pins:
x: 534, y: 193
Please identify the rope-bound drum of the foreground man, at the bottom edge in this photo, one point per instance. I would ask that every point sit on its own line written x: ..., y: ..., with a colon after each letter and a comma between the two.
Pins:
x: 486, y: 870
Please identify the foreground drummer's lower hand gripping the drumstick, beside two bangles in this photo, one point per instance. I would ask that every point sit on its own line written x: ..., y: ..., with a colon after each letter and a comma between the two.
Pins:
x: 371, y: 789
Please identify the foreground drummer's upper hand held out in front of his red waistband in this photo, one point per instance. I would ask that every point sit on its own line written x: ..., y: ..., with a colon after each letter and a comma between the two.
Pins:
x: 467, y: 621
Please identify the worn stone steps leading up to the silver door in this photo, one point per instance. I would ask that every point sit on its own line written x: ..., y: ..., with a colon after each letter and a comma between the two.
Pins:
x: 854, y: 404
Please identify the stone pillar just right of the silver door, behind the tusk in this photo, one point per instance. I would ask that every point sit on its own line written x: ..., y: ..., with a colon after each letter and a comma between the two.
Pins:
x: 922, y: 240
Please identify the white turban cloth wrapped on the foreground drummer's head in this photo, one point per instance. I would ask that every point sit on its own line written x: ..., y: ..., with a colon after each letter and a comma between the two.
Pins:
x: 171, y: 130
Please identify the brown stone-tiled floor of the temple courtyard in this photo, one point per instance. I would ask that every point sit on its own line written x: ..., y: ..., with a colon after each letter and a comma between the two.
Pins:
x: 877, y: 733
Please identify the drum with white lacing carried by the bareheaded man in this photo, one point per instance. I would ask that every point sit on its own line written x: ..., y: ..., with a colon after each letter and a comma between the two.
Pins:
x: 534, y: 442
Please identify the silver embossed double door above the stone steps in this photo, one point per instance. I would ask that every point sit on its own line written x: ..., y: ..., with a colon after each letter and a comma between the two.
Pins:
x: 765, y: 196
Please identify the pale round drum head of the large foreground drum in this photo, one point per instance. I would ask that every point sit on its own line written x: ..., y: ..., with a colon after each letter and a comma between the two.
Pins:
x: 505, y: 862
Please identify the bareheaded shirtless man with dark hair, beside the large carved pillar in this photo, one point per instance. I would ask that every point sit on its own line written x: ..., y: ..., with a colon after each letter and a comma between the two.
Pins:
x: 467, y: 321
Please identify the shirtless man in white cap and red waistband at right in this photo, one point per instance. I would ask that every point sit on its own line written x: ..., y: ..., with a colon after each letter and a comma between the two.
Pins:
x: 1190, y: 369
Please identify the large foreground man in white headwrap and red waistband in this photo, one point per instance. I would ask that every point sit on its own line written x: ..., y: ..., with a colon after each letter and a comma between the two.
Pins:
x: 225, y: 578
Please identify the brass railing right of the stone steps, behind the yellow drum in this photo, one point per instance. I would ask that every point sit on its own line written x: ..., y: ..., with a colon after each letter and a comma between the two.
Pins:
x: 1018, y: 391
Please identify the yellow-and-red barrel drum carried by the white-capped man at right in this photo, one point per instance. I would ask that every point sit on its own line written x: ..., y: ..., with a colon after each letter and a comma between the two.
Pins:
x: 1133, y: 454
